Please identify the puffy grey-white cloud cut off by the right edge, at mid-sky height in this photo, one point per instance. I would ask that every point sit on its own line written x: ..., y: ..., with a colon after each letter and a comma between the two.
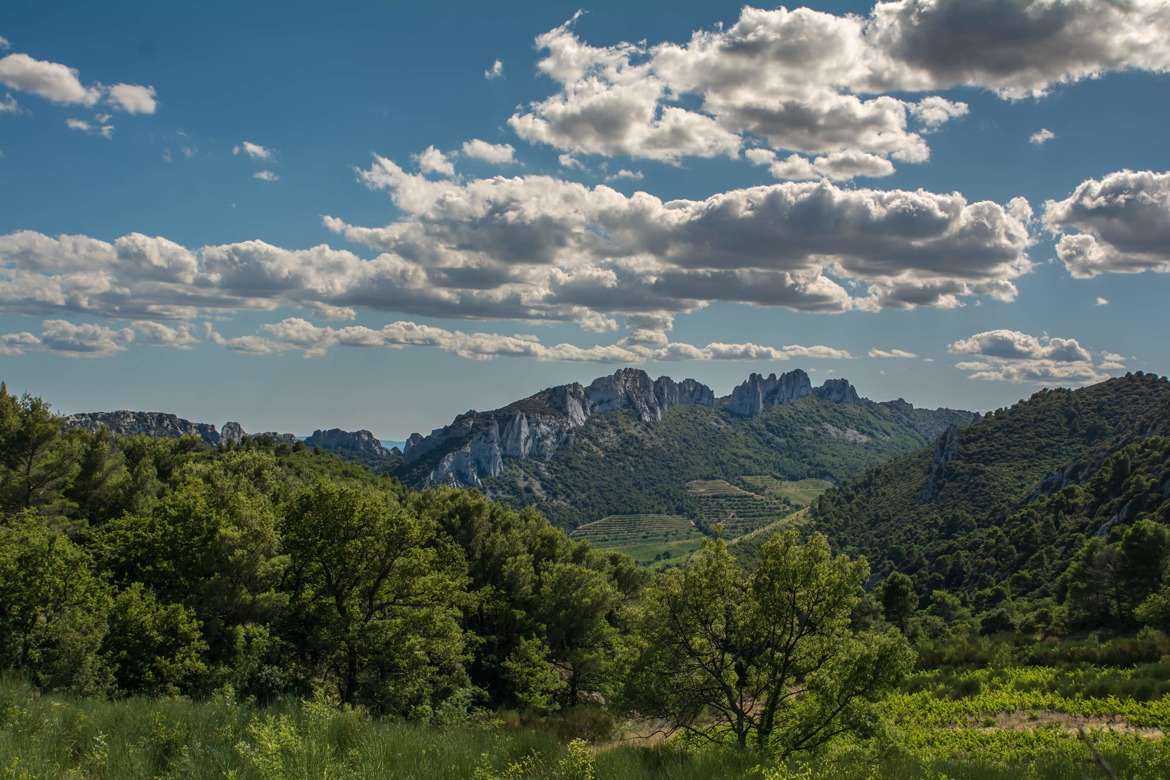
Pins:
x: 1119, y: 225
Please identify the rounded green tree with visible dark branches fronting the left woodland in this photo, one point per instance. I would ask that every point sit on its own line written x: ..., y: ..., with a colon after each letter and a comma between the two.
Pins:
x: 375, y: 602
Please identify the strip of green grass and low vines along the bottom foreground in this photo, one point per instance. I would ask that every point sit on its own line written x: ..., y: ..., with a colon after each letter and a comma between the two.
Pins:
x: 992, y: 724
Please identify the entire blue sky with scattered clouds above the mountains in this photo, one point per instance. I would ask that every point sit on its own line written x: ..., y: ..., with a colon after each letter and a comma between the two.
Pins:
x: 371, y: 216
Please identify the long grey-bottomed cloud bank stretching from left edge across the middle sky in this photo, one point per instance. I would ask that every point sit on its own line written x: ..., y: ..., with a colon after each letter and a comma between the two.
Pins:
x: 543, y: 250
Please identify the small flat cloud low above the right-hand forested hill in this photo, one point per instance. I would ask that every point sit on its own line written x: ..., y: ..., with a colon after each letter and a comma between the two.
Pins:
x: 1013, y: 356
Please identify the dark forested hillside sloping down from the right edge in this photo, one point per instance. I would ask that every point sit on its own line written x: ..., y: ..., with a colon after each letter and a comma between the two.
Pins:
x: 1052, y: 515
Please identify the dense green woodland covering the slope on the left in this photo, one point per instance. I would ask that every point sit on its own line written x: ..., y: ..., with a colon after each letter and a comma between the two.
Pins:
x: 136, y: 565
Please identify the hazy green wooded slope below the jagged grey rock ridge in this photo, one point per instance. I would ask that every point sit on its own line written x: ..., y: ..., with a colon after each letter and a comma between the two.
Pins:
x: 620, y: 466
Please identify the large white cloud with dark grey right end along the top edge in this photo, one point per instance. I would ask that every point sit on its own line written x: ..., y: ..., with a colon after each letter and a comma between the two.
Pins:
x: 815, y: 84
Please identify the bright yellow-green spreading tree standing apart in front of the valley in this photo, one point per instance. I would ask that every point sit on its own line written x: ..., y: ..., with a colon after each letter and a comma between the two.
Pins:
x: 769, y: 658
